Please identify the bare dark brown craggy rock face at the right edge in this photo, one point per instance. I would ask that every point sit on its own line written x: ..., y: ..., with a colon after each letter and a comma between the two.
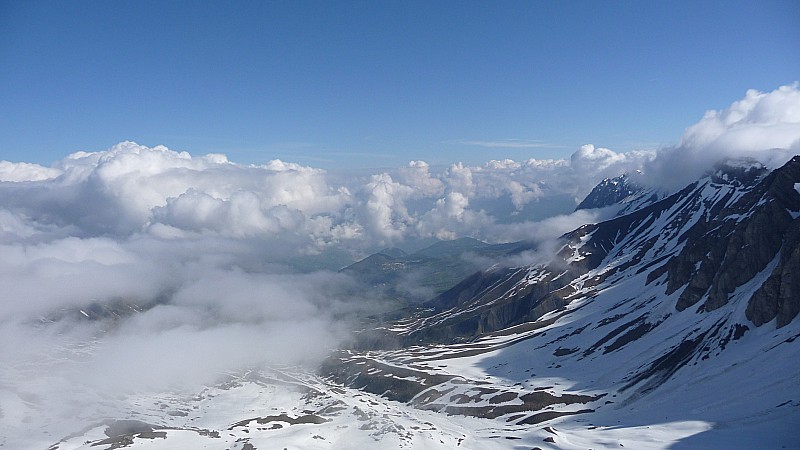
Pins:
x: 726, y: 249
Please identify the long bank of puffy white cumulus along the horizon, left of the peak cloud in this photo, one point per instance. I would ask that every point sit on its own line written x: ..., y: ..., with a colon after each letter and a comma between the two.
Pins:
x: 132, y: 189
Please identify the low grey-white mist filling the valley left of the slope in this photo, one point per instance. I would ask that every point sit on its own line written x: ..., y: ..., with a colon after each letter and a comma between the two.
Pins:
x: 90, y: 323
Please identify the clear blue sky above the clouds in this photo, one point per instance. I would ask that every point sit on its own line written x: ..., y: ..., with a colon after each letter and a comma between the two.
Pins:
x: 376, y: 84
